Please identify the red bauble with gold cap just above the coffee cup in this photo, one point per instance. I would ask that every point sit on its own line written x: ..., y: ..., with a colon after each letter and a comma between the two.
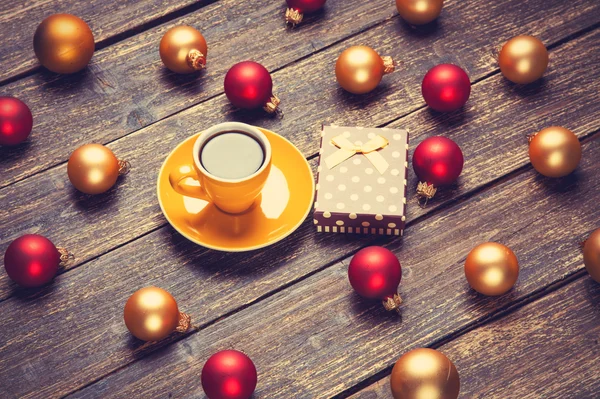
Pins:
x: 249, y: 85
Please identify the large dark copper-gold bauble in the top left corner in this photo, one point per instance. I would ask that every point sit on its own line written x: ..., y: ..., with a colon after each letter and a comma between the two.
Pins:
x: 63, y: 43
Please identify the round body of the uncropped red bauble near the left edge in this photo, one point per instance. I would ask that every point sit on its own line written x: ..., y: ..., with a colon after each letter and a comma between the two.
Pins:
x: 31, y: 260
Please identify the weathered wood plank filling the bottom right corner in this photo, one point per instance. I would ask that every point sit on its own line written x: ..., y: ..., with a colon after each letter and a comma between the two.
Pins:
x: 548, y: 349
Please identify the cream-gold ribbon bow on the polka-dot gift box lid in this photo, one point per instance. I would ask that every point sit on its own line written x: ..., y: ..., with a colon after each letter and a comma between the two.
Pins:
x: 369, y: 150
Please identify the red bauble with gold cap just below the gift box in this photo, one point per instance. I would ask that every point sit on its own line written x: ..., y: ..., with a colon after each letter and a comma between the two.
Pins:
x: 375, y: 273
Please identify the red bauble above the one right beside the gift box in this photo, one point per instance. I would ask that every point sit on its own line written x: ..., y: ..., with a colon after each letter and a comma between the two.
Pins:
x: 446, y: 87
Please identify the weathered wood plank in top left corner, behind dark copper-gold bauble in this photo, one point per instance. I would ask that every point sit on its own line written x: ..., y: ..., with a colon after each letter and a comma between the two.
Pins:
x: 19, y: 19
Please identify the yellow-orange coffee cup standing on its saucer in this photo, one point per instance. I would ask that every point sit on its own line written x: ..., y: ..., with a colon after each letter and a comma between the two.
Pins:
x: 231, y: 195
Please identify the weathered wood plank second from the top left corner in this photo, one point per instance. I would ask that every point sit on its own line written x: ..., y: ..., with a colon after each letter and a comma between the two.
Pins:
x: 126, y: 86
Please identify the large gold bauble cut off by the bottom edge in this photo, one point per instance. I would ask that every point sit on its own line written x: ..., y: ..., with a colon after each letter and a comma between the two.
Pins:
x: 424, y: 374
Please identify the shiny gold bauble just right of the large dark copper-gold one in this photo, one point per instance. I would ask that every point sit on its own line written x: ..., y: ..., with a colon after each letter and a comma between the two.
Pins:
x: 183, y: 49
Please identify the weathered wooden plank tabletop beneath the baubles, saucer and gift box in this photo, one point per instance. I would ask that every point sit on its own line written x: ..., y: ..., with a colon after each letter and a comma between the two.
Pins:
x: 290, y: 307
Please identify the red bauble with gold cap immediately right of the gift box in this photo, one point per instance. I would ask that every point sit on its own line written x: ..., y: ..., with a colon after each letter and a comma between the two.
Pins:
x: 437, y: 161
